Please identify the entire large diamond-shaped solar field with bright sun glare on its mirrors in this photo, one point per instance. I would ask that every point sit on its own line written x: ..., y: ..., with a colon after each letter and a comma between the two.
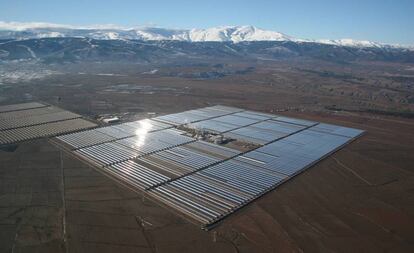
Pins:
x: 203, y: 181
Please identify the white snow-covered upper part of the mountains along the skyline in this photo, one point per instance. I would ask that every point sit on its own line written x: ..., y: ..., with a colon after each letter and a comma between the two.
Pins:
x: 235, y: 34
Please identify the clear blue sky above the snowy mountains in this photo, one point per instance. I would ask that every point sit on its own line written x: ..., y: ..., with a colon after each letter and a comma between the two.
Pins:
x: 377, y: 20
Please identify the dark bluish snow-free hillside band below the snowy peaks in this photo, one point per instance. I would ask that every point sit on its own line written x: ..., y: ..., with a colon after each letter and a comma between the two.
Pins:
x: 60, y: 50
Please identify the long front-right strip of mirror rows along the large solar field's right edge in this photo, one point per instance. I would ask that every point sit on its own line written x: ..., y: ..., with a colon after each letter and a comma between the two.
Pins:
x: 248, y: 176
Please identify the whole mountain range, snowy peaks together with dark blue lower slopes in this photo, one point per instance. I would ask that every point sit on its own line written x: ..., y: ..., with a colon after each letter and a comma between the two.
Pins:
x: 62, y: 43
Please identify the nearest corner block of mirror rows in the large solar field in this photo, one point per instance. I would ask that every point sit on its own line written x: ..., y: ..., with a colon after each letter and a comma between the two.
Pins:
x: 212, y: 193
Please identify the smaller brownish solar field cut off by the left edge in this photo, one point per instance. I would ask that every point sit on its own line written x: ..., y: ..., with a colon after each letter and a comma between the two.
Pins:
x: 20, y: 122
